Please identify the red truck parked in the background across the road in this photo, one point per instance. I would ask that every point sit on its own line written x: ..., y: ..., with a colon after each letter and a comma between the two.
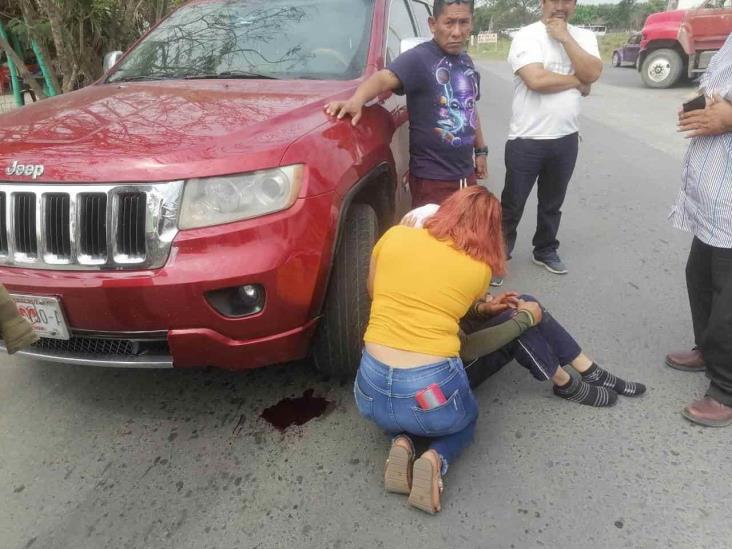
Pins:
x: 681, y: 41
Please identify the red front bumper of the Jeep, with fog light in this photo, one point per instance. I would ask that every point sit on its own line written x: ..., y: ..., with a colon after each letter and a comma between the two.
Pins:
x: 287, y: 253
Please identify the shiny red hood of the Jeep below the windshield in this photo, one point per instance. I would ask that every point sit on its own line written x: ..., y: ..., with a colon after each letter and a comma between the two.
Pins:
x: 157, y: 131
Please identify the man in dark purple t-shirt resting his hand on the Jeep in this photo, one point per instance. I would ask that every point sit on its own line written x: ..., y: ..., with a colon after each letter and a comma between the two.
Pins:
x: 442, y: 87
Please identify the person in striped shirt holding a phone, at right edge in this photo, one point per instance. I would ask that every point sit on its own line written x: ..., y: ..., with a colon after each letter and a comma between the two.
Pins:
x: 704, y: 208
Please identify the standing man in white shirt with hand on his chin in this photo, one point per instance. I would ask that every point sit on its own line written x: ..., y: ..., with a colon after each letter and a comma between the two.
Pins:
x: 554, y: 64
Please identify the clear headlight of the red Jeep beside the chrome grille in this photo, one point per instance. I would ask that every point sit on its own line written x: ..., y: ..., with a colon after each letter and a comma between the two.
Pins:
x: 218, y: 200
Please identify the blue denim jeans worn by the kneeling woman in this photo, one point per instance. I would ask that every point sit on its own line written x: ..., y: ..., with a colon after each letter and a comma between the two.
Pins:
x: 386, y: 396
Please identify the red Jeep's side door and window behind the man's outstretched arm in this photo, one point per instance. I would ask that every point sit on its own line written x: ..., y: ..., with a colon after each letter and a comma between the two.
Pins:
x: 400, y: 26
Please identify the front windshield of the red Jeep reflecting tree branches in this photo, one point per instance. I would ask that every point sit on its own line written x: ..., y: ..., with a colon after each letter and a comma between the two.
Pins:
x: 288, y: 39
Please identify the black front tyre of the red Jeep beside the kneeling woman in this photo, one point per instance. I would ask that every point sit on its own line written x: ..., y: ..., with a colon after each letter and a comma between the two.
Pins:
x: 339, y: 339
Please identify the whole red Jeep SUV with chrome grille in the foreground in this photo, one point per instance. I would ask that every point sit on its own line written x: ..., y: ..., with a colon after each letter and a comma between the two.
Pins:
x: 196, y: 206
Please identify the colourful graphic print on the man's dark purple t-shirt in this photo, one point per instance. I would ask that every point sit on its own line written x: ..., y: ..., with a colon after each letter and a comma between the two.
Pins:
x: 457, y: 88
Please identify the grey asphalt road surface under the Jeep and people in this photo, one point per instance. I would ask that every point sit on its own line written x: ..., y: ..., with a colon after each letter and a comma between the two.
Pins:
x: 93, y: 458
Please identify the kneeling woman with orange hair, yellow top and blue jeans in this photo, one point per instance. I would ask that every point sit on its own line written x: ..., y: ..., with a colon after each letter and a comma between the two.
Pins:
x: 411, y: 380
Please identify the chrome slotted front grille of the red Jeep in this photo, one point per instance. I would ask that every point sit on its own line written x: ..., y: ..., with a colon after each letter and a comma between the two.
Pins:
x: 88, y: 227
